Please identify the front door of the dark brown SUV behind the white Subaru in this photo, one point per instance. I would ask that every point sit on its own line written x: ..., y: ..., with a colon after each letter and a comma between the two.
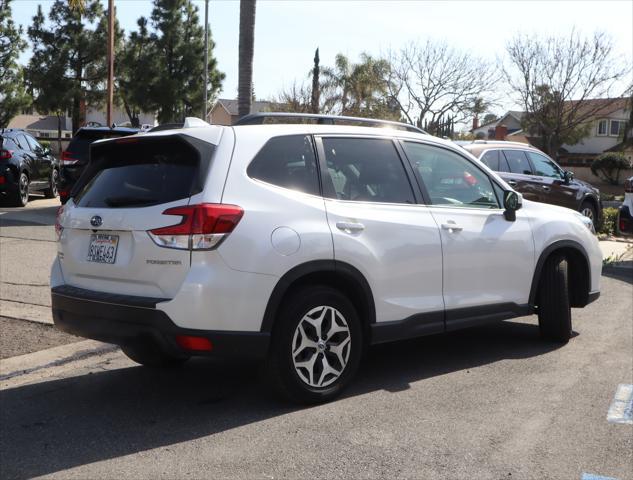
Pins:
x: 554, y: 189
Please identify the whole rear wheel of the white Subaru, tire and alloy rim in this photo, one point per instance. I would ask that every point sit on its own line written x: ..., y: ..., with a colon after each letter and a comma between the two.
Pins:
x: 316, y: 345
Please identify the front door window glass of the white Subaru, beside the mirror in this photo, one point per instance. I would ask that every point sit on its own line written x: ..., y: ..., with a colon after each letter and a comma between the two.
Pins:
x: 450, y: 179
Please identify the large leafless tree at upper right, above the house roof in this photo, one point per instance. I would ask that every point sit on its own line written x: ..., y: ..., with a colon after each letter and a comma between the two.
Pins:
x: 557, y: 80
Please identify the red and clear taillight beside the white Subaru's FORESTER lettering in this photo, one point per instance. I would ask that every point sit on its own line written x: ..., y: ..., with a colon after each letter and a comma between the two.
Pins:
x: 203, y: 226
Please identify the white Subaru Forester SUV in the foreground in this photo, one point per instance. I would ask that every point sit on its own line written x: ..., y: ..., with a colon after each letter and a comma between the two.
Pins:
x: 303, y: 244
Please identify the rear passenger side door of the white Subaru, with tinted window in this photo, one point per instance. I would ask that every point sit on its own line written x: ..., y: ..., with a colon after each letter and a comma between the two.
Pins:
x: 378, y: 227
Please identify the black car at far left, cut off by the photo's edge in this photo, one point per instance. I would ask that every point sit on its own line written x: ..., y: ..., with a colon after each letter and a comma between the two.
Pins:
x: 25, y: 167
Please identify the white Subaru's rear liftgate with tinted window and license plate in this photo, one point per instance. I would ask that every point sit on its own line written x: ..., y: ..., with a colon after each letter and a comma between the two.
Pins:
x: 105, y: 244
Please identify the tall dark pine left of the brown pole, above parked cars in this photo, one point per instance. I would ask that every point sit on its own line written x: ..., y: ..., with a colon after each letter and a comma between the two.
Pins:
x: 66, y: 70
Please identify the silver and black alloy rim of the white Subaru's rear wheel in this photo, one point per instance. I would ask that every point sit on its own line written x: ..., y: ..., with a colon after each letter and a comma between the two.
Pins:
x: 321, y: 346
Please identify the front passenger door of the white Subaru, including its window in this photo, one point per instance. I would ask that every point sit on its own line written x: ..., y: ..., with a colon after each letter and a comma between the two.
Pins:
x: 488, y: 260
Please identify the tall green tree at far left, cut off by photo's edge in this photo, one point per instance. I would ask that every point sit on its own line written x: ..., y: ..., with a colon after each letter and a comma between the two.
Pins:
x: 13, y: 96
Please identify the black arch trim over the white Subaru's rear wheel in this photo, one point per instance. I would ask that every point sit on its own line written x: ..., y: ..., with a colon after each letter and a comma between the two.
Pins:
x: 294, y: 275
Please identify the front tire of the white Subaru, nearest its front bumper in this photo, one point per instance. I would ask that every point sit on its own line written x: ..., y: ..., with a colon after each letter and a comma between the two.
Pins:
x: 554, y: 311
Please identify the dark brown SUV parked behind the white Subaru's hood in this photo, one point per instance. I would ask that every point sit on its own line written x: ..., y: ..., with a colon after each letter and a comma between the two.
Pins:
x: 538, y: 177
